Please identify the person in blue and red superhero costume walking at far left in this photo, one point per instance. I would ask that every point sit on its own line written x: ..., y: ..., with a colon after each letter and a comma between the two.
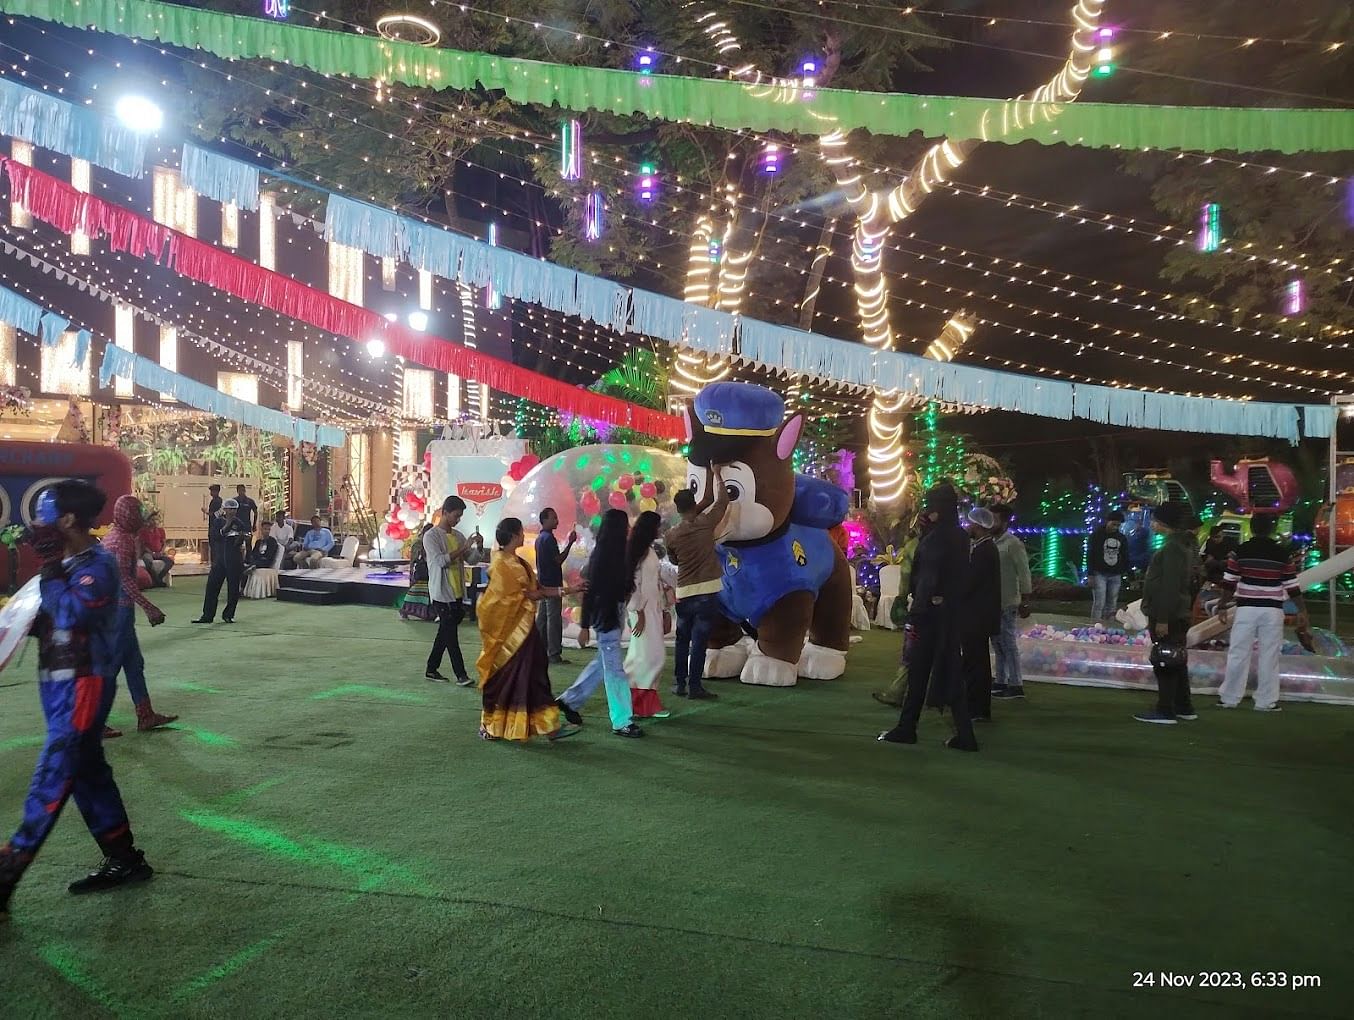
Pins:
x: 78, y: 664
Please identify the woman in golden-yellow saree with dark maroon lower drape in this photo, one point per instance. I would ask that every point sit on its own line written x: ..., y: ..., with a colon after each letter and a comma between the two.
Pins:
x: 514, y: 666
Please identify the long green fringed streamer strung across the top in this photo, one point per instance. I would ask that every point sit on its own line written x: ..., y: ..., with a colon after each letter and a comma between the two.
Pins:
x: 717, y: 102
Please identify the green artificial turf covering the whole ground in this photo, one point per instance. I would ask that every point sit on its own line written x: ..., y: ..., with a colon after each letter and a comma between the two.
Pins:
x: 332, y: 839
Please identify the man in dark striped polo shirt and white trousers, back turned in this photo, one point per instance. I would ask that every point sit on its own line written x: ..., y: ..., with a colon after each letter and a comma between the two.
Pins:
x: 1260, y: 578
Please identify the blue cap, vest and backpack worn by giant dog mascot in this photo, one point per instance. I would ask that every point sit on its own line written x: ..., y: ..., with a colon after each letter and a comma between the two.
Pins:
x: 797, y: 557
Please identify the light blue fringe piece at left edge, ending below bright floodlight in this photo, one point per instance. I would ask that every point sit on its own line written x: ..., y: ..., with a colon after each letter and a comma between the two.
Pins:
x: 72, y: 131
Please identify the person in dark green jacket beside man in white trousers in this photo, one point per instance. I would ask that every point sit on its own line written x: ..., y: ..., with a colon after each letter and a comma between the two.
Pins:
x: 1168, y: 597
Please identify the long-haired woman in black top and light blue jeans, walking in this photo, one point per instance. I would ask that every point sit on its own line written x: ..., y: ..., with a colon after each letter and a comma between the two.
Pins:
x: 610, y: 586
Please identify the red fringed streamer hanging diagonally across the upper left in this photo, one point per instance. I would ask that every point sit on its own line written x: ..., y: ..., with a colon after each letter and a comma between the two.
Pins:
x: 67, y: 209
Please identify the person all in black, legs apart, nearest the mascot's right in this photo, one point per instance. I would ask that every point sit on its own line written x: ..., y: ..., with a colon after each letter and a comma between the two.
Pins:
x: 935, y: 625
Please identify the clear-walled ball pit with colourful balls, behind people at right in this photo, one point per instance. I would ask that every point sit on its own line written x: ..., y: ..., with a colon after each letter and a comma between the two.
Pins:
x: 1097, y: 656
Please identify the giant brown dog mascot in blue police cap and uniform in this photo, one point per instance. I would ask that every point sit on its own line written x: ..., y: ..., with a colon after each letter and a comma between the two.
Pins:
x: 783, y: 576
